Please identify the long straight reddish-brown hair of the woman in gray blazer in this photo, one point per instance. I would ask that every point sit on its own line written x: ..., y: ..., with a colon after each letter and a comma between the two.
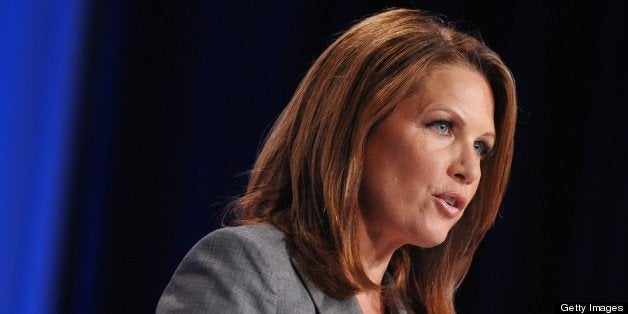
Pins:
x: 307, y: 176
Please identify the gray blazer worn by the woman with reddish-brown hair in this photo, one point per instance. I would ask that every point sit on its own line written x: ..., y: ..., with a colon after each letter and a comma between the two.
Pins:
x: 245, y: 269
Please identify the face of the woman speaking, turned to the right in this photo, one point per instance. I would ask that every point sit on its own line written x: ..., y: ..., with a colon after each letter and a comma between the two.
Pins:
x: 422, y: 163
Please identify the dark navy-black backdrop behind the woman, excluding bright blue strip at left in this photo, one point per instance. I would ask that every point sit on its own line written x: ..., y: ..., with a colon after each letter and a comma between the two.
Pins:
x: 176, y: 98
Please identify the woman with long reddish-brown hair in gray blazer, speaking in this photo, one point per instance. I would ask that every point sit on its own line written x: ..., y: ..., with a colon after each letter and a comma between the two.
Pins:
x: 375, y: 185
